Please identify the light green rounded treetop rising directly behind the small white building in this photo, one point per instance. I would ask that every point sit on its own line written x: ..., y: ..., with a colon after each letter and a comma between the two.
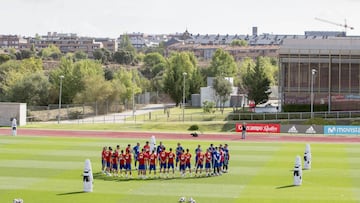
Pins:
x: 222, y: 64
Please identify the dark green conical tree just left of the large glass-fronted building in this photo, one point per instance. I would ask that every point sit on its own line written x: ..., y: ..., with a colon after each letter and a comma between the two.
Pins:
x: 257, y: 83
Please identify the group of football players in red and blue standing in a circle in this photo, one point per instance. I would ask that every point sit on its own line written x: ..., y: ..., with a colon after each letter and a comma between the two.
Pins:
x: 117, y: 162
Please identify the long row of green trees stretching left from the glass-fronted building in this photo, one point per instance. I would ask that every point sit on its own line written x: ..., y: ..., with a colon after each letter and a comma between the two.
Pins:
x: 88, y: 80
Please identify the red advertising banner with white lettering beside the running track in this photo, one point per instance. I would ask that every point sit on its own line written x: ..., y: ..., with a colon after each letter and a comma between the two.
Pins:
x: 259, y: 128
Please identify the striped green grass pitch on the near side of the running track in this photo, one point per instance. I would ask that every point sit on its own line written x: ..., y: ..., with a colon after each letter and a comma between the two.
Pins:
x: 48, y: 169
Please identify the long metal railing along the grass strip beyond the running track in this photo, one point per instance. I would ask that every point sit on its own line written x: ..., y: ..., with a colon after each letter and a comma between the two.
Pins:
x: 130, y: 117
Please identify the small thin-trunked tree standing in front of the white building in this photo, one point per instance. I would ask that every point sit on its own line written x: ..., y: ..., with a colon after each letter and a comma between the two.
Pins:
x: 223, y: 89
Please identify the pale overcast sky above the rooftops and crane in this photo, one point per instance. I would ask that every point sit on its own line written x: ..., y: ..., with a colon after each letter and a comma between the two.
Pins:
x: 110, y: 18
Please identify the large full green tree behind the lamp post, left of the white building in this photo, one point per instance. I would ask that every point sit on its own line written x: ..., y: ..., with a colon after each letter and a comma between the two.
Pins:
x: 179, y: 63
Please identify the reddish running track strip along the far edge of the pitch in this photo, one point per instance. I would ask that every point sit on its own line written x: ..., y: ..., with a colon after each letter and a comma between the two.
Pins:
x: 182, y: 136
